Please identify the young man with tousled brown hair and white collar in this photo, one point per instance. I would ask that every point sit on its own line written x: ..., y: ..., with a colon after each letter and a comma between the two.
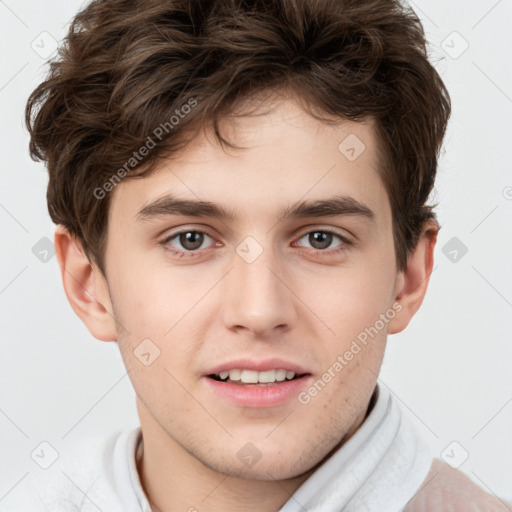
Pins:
x: 241, y: 192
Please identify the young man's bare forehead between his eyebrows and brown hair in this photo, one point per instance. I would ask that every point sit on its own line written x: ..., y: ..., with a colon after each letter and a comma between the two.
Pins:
x: 286, y: 155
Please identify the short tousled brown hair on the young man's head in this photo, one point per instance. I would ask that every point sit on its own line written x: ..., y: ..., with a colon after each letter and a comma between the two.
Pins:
x: 129, y: 66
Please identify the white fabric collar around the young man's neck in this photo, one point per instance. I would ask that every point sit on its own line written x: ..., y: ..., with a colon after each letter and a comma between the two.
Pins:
x: 379, y: 468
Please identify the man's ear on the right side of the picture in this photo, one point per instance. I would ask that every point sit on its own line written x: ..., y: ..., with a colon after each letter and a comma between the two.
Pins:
x: 411, y: 284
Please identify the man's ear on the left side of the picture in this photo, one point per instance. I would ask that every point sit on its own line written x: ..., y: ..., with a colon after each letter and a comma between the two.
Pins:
x: 85, y: 287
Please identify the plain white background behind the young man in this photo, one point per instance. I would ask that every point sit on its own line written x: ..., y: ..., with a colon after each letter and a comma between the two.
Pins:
x: 452, y: 367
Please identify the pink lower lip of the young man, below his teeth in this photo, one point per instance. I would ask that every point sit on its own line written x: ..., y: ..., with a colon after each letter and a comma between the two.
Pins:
x: 247, y: 395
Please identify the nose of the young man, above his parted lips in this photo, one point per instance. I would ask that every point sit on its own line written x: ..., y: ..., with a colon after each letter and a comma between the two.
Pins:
x: 258, y: 296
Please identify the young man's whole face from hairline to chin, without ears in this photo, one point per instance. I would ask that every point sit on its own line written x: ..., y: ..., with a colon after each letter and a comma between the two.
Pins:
x: 282, y: 286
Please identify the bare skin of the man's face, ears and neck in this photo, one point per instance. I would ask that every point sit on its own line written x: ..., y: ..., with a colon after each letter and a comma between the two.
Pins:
x: 291, y: 302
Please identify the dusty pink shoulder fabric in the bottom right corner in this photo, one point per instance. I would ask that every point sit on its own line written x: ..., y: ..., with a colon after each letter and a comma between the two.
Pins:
x: 449, y: 490
